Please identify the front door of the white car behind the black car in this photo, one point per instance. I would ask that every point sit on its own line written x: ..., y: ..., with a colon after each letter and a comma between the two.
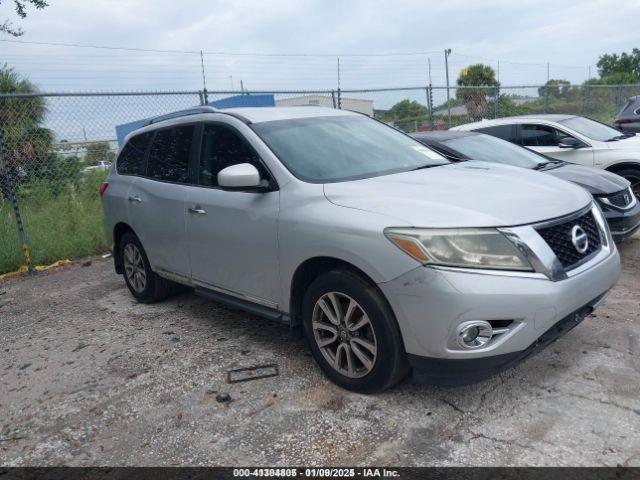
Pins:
x: 545, y: 139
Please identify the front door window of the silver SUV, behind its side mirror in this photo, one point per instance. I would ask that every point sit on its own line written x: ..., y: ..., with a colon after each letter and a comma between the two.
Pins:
x: 221, y: 148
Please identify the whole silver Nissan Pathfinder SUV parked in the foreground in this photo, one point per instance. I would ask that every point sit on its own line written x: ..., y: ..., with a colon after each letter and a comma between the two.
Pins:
x: 389, y: 257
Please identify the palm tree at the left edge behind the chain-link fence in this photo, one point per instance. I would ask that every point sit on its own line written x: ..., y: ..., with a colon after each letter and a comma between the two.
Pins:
x: 26, y: 142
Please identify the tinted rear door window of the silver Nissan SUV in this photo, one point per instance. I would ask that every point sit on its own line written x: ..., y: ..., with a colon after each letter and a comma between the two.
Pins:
x: 169, y: 154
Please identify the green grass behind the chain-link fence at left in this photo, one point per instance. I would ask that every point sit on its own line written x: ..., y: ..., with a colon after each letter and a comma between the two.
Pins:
x: 59, y: 222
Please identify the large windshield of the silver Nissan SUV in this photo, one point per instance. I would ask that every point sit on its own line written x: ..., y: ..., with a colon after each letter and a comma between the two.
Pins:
x: 337, y: 148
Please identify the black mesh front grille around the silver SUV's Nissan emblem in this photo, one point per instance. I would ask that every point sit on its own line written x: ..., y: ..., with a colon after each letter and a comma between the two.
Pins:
x: 558, y: 237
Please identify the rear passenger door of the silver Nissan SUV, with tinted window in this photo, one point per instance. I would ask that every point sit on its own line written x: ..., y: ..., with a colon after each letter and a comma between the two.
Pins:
x: 158, y: 198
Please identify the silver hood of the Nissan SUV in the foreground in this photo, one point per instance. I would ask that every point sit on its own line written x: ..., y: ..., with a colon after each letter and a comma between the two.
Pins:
x: 469, y: 194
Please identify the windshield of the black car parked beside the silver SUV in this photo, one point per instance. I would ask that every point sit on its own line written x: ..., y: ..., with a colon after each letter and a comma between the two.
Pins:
x: 491, y: 149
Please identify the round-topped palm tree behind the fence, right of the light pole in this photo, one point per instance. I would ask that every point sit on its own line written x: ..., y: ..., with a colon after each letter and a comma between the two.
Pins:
x: 475, y: 99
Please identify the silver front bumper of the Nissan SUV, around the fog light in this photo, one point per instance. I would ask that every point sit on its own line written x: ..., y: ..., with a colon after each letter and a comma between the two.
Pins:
x: 430, y: 304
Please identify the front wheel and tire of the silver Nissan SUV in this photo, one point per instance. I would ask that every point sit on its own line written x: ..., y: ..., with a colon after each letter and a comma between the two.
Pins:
x: 341, y: 360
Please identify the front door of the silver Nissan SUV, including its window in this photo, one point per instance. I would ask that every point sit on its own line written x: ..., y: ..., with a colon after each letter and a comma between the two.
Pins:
x: 233, y: 235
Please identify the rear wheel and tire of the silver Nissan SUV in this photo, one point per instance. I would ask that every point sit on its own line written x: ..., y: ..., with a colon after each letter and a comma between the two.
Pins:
x: 143, y: 283
